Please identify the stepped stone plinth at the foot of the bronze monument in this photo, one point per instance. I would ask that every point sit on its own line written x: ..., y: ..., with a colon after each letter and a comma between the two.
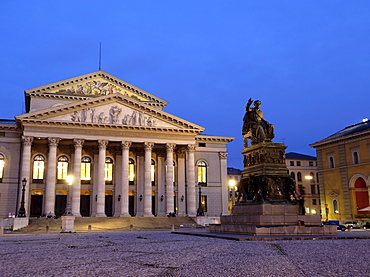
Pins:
x: 271, y: 219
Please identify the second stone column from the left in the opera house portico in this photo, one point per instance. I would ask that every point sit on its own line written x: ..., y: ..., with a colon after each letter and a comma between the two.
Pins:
x: 51, y: 176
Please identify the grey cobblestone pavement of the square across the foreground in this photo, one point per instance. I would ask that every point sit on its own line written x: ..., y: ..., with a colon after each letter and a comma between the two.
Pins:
x: 160, y: 253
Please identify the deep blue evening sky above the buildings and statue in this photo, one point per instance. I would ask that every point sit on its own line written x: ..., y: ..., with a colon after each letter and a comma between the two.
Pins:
x: 307, y: 61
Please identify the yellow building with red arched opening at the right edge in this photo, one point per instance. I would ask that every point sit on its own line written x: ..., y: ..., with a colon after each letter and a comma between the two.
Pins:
x: 344, y: 173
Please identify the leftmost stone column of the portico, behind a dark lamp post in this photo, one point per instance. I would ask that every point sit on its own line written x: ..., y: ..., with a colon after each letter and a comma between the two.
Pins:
x: 25, y: 173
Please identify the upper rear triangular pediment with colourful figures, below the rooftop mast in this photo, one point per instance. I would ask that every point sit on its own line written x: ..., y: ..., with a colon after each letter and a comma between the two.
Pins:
x: 94, y: 85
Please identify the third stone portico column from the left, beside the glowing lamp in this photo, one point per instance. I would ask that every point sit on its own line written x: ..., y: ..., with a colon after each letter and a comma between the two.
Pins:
x: 76, y: 186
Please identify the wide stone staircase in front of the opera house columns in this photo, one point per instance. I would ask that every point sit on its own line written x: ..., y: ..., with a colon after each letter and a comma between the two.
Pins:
x: 112, y: 223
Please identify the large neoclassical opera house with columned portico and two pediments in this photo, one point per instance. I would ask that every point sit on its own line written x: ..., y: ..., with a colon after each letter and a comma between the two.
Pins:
x: 110, y: 149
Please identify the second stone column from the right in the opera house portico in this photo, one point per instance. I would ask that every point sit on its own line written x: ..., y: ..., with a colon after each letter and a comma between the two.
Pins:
x: 170, y: 207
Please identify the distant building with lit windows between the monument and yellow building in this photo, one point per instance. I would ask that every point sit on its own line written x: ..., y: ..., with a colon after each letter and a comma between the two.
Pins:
x: 303, y: 169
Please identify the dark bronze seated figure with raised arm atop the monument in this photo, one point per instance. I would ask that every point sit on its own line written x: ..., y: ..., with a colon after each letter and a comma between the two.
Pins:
x: 255, y: 127
